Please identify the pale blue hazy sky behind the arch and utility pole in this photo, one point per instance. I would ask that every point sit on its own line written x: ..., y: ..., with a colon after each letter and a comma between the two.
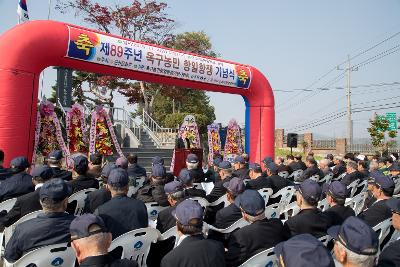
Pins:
x: 293, y: 43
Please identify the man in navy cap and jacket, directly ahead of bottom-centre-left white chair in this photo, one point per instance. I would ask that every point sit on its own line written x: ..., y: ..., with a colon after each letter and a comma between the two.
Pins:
x: 122, y: 214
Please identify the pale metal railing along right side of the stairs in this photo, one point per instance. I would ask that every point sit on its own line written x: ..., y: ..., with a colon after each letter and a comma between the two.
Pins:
x: 163, y: 137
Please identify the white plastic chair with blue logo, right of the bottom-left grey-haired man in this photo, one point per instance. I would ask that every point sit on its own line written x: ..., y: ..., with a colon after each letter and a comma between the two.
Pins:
x: 136, y: 244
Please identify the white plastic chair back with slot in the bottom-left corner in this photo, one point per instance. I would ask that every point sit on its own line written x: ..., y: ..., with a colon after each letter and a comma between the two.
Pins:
x: 59, y: 255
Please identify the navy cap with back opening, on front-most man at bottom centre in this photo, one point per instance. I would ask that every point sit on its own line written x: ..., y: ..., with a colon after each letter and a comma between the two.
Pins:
x: 188, y: 210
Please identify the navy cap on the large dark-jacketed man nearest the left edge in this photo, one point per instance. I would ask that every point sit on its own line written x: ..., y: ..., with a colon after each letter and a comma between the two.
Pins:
x: 55, y: 189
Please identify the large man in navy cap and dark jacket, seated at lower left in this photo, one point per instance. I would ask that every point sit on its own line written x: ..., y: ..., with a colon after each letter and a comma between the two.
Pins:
x: 50, y: 228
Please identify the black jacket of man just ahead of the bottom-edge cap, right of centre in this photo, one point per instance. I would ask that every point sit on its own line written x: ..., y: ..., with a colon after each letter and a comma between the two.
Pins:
x: 308, y: 221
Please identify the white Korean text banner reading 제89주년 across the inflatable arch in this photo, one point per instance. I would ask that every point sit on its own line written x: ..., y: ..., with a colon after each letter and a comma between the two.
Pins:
x: 120, y: 53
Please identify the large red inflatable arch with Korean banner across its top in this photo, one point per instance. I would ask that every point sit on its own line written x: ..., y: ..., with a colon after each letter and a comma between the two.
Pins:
x: 27, y: 49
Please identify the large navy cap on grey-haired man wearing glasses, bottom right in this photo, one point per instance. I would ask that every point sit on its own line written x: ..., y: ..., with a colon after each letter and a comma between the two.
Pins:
x: 356, y: 235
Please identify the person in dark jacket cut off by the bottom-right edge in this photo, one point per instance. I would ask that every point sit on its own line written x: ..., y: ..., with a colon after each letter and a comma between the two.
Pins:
x: 390, y: 256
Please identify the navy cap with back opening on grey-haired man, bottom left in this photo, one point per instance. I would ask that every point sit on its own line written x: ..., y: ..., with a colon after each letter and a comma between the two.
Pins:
x: 80, y: 226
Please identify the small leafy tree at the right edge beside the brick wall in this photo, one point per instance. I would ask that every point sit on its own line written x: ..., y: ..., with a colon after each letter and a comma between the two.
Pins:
x: 379, y: 131
